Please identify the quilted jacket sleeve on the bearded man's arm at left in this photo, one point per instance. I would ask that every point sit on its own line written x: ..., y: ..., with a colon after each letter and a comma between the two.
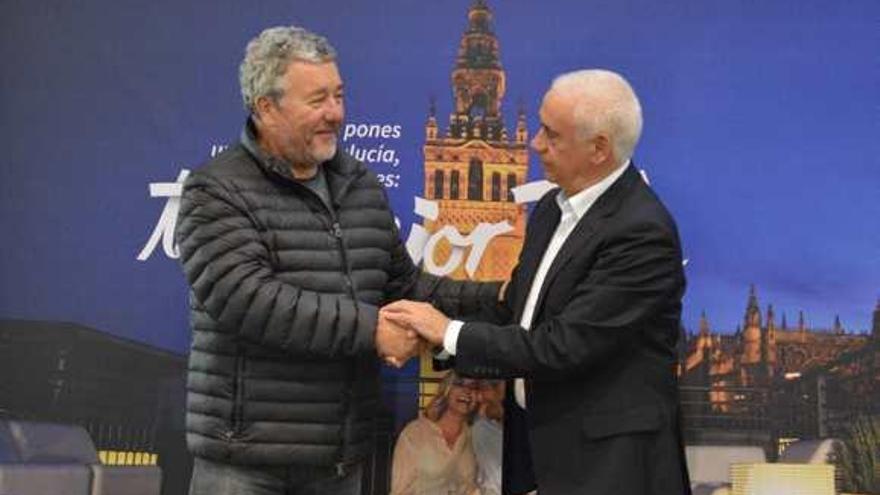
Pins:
x: 232, y: 278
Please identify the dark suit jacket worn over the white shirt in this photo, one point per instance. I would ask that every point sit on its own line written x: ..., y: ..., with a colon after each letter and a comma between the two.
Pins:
x: 599, y: 359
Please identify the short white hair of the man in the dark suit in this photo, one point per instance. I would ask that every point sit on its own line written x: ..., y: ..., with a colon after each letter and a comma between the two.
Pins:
x: 604, y: 102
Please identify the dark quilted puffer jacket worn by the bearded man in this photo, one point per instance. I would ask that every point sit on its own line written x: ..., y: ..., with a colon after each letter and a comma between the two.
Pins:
x: 284, y: 301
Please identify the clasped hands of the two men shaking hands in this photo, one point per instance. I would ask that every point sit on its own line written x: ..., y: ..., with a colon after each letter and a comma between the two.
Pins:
x: 404, y: 327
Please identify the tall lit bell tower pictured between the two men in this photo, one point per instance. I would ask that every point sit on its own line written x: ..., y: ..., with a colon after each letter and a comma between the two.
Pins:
x: 472, y: 163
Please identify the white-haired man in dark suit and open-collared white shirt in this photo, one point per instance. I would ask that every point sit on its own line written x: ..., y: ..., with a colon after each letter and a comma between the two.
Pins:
x: 589, y: 323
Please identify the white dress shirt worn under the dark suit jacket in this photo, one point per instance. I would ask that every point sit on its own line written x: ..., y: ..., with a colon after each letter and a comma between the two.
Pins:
x: 572, y: 209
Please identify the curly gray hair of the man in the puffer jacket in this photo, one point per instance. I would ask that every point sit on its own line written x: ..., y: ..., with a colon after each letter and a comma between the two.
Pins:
x: 267, y: 57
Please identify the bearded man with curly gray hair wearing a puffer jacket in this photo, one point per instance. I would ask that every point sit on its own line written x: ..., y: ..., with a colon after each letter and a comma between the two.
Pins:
x: 290, y: 248
